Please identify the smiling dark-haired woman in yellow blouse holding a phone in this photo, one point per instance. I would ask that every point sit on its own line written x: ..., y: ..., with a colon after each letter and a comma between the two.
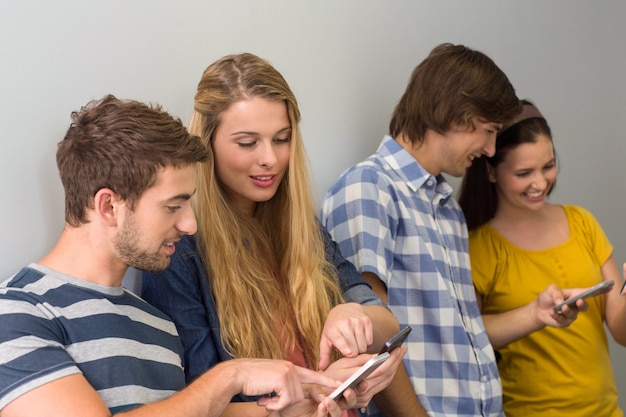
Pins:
x: 519, y: 245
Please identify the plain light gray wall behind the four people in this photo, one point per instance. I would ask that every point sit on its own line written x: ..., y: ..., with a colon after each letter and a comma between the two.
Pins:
x: 347, y: 61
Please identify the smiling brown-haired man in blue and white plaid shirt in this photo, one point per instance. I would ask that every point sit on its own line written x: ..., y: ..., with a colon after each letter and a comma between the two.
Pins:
x: 394, y: 217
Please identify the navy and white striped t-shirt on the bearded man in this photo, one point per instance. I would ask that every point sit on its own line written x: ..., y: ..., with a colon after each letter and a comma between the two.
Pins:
x: 53, y: 325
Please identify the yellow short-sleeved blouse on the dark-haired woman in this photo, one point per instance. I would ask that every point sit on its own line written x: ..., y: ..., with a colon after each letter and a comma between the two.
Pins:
x: 552, y: 372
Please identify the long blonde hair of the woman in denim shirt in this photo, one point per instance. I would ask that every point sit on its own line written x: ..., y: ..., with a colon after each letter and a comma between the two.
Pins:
x: 268, y: 273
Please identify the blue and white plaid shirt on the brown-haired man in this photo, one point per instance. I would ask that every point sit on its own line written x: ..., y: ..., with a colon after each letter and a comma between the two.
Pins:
x: 390, y: 217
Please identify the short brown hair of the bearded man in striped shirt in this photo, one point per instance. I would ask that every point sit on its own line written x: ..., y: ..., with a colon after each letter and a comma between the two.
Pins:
x: 121, y: 145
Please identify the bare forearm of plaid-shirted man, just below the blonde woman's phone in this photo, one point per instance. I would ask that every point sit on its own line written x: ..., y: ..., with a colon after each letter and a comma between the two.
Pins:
x: 399, y: 398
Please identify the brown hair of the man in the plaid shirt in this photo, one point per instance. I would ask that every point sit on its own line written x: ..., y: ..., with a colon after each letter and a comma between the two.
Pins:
x: 453, y: 86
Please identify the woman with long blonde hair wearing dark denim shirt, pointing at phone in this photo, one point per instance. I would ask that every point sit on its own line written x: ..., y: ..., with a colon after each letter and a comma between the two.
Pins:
x: 261, y: 278
